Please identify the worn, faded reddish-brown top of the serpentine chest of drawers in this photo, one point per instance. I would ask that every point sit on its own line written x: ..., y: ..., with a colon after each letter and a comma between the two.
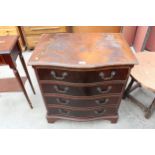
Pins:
x: 82, y: 50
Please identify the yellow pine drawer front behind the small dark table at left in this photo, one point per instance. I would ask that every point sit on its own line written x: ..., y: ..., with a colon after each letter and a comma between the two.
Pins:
x: 8, y: 30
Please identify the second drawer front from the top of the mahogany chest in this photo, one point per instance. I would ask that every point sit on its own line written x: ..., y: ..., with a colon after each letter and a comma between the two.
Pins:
x: 83, y: 91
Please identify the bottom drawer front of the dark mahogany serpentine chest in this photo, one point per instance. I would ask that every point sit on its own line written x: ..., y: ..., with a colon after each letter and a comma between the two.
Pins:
x: 87, y: 114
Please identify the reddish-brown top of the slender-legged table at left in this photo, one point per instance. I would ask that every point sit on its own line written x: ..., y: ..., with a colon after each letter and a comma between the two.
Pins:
x: 7, y: 43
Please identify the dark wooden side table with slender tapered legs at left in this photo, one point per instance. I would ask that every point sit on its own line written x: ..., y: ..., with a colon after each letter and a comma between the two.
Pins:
x: 9, y: 51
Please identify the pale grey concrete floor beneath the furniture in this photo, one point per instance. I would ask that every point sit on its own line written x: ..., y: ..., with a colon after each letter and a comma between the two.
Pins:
x: 15, y: 112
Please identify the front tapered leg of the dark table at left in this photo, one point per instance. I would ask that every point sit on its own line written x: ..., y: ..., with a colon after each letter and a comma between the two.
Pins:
x: 22, y: 86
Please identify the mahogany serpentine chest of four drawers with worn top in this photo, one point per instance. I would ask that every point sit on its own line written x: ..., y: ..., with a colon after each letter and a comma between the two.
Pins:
x: 82, y: 76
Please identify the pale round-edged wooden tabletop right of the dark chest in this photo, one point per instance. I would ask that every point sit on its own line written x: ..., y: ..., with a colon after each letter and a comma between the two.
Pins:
x: 145, y: 71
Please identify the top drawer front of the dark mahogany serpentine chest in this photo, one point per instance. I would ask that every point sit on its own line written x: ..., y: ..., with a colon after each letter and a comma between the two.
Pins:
x: 83, y: 76
